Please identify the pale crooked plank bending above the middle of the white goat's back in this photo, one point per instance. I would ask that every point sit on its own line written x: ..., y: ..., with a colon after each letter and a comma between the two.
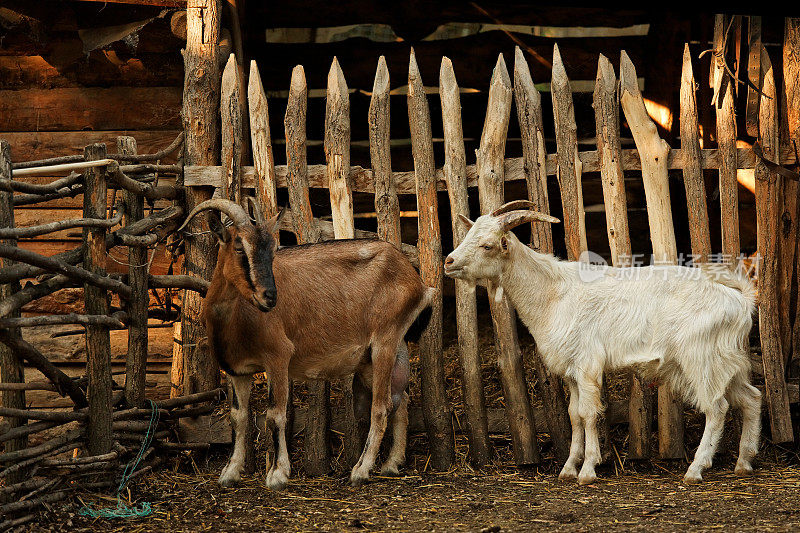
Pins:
x: 654, y: 151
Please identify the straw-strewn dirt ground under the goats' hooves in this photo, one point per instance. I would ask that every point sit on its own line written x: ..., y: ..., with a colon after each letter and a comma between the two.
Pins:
x: 499, y: 498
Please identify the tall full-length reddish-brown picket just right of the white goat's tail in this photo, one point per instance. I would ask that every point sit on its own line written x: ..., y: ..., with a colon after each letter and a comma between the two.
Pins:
x: 768, y: 205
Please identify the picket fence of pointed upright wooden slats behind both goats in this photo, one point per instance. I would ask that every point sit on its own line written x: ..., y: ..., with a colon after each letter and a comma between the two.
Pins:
x: 653, y: 158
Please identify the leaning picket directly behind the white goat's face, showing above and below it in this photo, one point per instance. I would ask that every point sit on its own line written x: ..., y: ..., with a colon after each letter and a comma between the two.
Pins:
x: 491, y: 182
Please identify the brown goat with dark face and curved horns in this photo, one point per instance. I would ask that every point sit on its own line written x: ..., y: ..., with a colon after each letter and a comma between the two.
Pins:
x: 341, y: 307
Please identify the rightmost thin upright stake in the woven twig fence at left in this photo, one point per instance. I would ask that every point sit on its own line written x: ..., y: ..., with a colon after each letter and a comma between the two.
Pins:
x: 136, y: 362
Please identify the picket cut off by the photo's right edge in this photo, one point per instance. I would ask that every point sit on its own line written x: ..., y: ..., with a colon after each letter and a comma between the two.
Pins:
x: 790, y: 210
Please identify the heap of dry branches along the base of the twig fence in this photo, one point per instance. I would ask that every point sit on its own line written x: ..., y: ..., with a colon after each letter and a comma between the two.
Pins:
x: 56, y: 470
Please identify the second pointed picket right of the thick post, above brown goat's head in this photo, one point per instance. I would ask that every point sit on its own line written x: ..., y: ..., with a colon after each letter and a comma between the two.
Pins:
x: 261, y: 142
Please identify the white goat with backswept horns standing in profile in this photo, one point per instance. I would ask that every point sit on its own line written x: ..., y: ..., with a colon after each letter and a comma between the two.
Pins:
x: 684, y: 325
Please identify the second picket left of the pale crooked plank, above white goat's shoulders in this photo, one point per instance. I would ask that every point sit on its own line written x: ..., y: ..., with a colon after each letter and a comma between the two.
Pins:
x: 569, y: 166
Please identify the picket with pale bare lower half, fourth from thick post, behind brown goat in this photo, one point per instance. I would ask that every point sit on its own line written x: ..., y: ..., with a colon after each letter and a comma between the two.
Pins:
x: 337, y: 157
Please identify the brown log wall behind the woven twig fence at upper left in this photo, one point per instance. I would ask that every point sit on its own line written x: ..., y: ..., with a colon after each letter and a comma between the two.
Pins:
x: 76, y: 73
